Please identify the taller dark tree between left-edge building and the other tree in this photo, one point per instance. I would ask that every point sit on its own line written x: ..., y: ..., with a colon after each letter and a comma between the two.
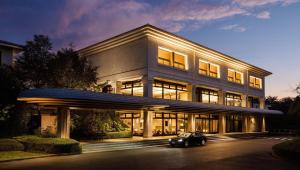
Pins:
x: 32, y: 66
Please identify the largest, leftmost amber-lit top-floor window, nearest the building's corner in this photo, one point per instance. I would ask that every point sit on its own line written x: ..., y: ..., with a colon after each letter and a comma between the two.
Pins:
x: 172, y: 59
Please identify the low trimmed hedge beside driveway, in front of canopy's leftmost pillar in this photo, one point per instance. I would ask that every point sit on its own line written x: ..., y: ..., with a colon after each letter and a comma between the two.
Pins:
x: 49, y: 145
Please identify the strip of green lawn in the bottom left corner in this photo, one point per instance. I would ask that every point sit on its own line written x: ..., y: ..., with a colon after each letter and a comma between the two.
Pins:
x: 14, y: 155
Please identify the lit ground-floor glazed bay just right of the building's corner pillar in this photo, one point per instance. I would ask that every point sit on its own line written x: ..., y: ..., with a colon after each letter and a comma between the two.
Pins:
x: 169, y: 123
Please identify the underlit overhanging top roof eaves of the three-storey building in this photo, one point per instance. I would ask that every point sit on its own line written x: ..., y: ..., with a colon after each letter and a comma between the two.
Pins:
x: 150, y: 30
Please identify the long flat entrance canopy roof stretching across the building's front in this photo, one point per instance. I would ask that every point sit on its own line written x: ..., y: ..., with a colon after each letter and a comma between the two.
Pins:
x: 54, y: 97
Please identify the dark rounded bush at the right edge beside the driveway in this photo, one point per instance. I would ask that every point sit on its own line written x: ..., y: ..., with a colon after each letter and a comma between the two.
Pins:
x: 288, y: 149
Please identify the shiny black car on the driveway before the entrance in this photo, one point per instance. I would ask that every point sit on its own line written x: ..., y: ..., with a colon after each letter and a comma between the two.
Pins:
x: 188, y: 139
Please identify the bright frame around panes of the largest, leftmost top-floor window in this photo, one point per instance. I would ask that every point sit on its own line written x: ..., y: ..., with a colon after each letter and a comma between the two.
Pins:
x: 172, y: 61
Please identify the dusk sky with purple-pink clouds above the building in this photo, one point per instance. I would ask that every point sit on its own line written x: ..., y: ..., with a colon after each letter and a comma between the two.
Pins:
x: 265, y: 33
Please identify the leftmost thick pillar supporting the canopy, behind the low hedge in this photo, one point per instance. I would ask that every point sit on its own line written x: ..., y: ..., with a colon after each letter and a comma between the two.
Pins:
x: 63, y: 123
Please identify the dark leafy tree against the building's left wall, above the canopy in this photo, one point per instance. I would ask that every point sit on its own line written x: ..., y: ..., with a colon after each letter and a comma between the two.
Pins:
x: 70, y: 70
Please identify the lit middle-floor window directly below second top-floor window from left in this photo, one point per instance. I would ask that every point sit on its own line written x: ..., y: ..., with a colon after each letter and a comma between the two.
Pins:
x: 207, y: 95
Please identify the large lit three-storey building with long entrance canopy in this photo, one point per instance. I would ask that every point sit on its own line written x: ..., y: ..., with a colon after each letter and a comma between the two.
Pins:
x: 163, y: 84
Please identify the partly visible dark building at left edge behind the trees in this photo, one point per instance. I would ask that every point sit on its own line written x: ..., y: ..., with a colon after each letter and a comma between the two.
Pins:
x: 9, y: 52
